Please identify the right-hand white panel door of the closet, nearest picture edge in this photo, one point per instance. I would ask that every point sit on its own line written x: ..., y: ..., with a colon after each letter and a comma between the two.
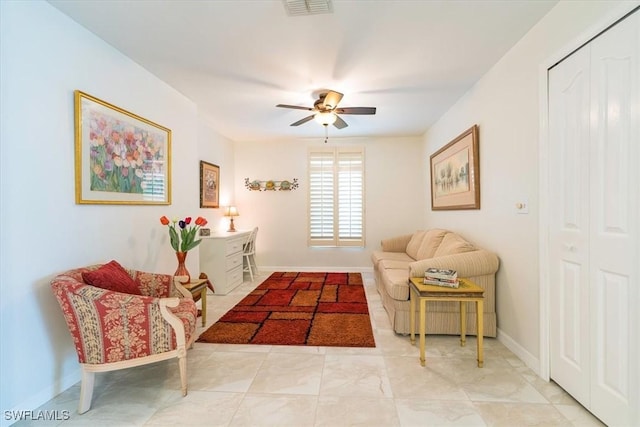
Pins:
x: 614, y: 248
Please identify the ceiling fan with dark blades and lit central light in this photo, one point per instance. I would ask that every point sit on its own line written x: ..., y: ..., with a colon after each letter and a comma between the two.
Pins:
x: 325, y: 110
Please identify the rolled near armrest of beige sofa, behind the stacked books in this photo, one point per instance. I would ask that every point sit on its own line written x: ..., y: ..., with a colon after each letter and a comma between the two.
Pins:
x: 467, y: 264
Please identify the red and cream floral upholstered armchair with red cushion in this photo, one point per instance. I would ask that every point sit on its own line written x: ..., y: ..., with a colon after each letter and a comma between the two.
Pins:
x: 120, y: 318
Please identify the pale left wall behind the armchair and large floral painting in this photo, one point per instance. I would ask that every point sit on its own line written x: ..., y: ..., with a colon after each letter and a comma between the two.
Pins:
x: 45, y: 57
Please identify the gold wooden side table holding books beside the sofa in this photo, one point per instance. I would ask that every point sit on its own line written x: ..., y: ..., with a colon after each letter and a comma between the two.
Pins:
x: 467, y: 291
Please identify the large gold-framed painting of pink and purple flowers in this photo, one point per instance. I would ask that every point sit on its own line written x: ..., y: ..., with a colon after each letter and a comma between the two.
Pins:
x: 120, y: 158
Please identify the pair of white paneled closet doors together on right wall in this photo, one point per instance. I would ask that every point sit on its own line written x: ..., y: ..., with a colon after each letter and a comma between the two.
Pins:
x: 594, y: 158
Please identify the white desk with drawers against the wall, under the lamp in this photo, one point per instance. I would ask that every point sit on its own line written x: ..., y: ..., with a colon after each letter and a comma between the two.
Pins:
x: 221, y: 259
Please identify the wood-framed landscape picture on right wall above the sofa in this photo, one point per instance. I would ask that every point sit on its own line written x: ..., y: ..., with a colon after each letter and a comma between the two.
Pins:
x: 455, y: 173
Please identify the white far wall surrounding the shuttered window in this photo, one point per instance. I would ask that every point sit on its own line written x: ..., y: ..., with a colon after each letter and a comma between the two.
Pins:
x: 394, y: 199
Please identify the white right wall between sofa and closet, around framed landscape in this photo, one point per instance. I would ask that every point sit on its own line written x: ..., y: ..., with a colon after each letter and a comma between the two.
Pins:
x: 505, y: 105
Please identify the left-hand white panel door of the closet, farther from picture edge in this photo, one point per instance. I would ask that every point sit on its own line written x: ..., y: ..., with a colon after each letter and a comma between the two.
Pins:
x: 569, y: 223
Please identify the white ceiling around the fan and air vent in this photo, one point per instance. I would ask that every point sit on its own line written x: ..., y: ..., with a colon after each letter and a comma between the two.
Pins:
x: 237, y: 59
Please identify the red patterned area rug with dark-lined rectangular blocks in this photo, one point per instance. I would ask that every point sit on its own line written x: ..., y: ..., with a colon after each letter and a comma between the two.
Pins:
x: 317, y: 309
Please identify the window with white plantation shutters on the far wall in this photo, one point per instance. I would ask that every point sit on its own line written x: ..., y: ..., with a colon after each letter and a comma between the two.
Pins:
x: 336, y: 197
